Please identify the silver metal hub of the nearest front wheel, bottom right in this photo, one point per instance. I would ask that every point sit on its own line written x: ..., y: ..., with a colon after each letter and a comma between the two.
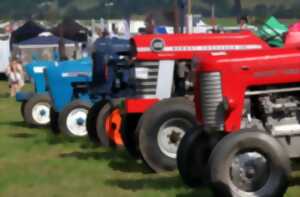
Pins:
x: 249, y: 171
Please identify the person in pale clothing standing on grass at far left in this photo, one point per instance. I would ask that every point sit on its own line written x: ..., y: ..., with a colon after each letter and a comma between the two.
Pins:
x: 15, y: 76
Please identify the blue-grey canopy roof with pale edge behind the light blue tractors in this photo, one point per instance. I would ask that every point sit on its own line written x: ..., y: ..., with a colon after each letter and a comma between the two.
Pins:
x: 44, y: 41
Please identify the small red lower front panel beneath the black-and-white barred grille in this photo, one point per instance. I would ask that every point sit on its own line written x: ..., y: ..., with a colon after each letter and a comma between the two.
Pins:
x: 139, y: 105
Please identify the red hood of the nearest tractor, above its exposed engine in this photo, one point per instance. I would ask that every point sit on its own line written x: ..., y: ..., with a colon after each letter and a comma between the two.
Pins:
x: 259, y: 65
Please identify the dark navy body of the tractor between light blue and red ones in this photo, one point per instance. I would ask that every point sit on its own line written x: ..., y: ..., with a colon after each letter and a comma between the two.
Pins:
x: 108, y: 53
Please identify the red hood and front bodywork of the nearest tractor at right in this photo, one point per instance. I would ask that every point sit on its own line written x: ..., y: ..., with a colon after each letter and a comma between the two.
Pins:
x: 241, y: 70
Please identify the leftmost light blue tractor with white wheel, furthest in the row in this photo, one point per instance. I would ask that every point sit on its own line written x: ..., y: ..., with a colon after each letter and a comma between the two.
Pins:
x: 35, y: 107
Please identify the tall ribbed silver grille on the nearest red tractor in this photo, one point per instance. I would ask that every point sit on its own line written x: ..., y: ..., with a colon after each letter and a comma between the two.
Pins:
x: 211, y: 101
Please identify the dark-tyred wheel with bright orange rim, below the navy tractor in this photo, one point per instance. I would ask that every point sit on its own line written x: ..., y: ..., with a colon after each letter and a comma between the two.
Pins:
x: 108, y: 125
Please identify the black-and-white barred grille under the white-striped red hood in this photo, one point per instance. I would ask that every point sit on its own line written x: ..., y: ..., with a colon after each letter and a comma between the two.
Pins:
x: 146, y: 78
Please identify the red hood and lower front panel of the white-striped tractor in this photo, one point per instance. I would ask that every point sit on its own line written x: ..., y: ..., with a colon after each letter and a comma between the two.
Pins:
x: 188, y: 41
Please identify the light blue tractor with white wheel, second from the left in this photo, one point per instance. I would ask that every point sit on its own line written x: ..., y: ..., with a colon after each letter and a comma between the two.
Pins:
x: 60, y: 81
